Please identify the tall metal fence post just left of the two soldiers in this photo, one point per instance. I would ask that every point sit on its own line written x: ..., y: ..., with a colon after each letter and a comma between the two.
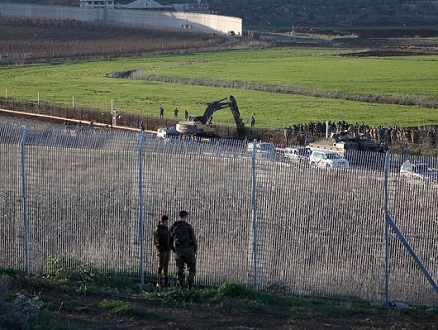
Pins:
x: 141, y: 205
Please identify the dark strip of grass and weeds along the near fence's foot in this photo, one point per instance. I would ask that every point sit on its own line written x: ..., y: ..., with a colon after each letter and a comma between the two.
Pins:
x: 42, y: 302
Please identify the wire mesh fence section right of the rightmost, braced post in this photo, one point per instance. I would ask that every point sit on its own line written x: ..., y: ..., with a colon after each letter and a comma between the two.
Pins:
x: 413, y: 207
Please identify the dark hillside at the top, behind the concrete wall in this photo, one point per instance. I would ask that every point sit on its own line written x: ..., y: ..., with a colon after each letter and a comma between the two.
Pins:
x: 288, y: 13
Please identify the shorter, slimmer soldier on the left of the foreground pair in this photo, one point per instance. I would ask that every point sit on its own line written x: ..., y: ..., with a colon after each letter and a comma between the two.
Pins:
x: 162, y: 246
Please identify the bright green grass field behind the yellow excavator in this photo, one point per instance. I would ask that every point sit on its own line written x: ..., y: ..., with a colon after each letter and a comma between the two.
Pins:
x: 312, y: 70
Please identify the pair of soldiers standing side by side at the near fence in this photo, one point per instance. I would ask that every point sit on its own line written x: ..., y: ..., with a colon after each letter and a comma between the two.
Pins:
x: 179, y: 239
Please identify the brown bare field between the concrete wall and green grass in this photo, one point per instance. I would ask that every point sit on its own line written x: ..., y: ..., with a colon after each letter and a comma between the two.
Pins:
x: 28, y: 40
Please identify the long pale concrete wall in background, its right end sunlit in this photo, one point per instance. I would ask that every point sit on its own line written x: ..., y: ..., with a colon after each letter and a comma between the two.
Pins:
x: 205, y: 22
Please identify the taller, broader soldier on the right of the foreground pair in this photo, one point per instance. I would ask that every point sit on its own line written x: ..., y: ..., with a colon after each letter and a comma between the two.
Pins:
x: 183, y: 243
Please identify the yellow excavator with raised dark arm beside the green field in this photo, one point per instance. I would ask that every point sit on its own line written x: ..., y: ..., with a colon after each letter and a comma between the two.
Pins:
x: 201, y: 125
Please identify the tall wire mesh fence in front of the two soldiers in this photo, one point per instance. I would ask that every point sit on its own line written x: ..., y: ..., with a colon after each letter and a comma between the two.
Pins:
x: 94, y: 196
